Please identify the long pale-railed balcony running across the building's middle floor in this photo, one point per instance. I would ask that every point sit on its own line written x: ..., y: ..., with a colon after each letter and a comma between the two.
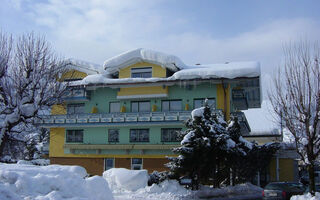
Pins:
x: 129, y: 118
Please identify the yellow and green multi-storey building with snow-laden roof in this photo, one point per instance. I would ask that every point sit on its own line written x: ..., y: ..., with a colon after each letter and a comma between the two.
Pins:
x: 127, y: 112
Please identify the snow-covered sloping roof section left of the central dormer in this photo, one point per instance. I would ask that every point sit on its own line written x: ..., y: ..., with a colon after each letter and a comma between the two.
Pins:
x: 84, y: 66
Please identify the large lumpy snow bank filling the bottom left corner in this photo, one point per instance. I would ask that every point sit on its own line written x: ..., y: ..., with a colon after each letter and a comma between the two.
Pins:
x: 54, y: 182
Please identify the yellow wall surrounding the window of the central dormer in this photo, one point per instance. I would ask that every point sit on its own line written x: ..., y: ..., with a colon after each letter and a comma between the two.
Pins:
x: 157, y: 71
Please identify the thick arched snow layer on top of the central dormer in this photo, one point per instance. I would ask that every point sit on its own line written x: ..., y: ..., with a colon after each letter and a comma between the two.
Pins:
x: 125, y: 59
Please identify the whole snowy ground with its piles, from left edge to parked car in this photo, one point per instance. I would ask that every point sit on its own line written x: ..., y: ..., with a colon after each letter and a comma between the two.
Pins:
x: 56, y: 182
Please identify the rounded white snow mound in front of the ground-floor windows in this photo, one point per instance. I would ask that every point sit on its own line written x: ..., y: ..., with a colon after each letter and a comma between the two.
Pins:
x: 123, y: 179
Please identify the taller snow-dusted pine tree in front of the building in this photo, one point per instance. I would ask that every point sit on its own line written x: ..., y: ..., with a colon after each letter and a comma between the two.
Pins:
x: 203, y: 150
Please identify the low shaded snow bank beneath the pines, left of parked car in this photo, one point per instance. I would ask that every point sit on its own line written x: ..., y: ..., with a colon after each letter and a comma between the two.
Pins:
x: 244, y: 190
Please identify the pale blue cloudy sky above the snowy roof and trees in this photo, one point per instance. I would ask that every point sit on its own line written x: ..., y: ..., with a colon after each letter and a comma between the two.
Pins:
x: 196, y: 31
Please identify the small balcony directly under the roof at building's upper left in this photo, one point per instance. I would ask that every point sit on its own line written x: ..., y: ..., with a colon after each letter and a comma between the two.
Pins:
x: 76, y: 94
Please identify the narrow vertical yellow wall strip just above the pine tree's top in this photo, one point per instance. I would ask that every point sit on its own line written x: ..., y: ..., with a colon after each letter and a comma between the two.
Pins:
x: 221, y: 100
